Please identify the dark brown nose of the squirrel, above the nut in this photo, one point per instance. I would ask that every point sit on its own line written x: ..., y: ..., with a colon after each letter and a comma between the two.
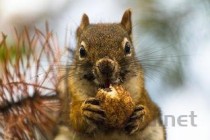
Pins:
x: 106, y: 67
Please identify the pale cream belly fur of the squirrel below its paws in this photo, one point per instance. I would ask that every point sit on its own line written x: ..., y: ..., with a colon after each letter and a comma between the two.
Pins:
x: 154, y: 131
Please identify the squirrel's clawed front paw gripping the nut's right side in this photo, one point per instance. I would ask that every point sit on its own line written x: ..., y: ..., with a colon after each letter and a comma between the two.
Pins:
x: 135, y: 120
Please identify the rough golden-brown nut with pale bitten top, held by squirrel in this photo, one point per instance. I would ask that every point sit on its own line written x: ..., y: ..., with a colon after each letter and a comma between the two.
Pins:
x: 118, y: 105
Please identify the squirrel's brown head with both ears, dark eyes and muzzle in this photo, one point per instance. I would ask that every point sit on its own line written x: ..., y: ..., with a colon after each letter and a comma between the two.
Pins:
x: 105, y: 52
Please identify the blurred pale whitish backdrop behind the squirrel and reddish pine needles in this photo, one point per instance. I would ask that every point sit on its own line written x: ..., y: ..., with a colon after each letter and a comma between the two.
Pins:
x: 172, y: 40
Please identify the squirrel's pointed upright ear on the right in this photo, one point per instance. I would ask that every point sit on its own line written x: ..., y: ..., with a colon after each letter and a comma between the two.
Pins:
x: 126, y: 21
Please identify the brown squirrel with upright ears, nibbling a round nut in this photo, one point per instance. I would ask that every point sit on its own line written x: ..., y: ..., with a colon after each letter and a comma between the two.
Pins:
x: 105, y: 56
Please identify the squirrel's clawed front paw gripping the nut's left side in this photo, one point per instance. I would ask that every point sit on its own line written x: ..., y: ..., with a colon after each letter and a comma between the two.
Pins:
x: 92, y: 112
